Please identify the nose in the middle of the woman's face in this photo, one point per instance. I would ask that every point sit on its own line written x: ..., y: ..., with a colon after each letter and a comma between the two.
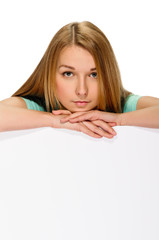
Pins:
x: 81, y: 89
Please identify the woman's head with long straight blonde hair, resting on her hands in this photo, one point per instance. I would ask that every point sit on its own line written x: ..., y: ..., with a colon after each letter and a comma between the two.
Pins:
x: 78, y: 72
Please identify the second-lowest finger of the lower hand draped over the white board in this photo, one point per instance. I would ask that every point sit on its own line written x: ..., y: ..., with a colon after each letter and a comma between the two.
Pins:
x: 98, y: 130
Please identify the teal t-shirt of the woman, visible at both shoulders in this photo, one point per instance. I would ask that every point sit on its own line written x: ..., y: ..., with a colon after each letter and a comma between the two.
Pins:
x: 130, y: 104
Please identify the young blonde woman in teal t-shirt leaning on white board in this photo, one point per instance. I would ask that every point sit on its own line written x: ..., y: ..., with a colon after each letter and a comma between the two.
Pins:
x: 77, y: 85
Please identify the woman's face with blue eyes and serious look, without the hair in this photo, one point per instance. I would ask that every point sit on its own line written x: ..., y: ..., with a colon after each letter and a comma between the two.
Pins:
x: 76, y: 79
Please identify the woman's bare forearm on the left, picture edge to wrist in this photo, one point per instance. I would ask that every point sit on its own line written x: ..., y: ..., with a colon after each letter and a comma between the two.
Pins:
x: 12, y: 118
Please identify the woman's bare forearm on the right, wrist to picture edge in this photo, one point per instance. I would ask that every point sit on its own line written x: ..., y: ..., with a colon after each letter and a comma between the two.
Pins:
x: 147, y: 117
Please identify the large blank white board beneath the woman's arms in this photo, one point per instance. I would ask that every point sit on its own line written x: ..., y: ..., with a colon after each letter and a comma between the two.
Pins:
x: 57, y: 184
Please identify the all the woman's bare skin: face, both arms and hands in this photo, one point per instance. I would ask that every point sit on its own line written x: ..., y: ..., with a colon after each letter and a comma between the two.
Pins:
x: 77, y: 84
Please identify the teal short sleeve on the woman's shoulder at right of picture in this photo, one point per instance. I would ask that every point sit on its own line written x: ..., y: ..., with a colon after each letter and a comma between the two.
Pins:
x: 131, y: 102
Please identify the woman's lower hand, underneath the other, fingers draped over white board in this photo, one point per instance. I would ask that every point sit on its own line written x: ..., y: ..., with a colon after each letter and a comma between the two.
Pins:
x: 92, y: 128
